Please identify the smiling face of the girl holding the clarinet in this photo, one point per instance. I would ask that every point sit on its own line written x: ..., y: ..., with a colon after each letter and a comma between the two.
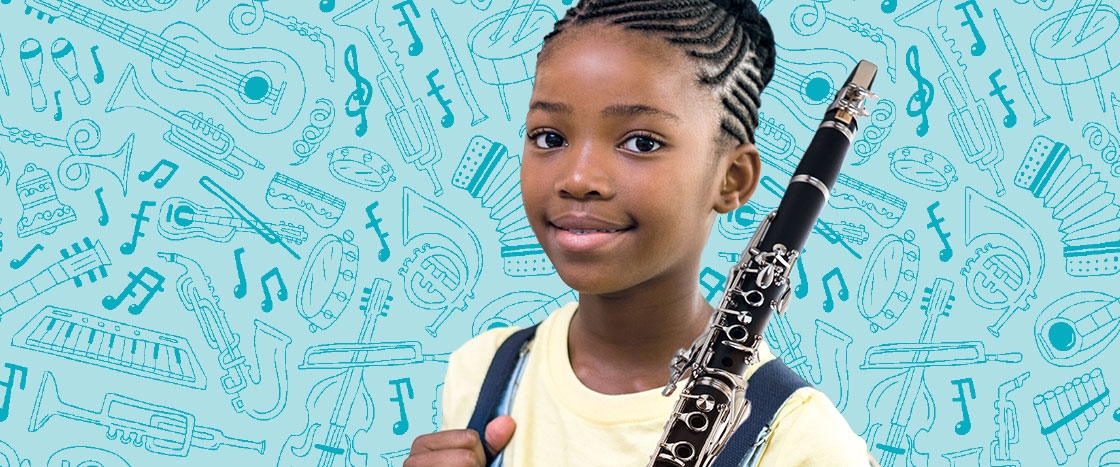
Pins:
x: 619, y: 176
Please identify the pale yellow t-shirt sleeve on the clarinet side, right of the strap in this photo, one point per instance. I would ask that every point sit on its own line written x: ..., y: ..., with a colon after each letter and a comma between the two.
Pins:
x: 809, y: 432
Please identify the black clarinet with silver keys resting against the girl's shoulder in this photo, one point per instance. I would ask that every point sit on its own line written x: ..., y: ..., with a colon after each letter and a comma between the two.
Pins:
x: 713, y: 405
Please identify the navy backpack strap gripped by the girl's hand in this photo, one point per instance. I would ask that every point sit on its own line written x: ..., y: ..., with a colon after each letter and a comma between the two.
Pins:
x: 494, y: 386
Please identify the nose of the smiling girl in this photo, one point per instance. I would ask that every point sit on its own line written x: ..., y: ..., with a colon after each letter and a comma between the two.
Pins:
x: 586, y: 173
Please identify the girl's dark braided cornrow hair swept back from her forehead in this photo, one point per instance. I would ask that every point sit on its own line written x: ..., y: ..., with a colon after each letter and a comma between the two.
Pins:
x: 730, y: 41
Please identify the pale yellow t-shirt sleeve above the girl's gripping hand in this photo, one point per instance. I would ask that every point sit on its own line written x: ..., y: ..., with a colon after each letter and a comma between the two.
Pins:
x: 466, y: 369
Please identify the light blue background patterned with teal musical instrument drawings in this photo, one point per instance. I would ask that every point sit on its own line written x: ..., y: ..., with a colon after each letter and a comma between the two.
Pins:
x: 1012, y: 268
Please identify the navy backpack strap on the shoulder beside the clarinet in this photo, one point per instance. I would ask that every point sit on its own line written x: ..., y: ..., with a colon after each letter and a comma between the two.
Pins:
x: 768, y: 389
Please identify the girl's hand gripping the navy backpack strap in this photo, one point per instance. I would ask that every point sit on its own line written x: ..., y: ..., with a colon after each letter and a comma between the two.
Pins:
x: 461, y: 449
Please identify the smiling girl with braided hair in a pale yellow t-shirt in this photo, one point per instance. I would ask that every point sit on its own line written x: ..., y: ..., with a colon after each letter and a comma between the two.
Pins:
x: 640, y: 134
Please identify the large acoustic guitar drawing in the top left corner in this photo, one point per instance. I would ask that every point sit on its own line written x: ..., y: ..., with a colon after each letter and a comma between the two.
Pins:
x: 262, y: 87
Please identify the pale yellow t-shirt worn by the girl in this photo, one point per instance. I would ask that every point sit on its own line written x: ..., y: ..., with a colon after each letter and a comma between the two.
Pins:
x: 563, y: 423
